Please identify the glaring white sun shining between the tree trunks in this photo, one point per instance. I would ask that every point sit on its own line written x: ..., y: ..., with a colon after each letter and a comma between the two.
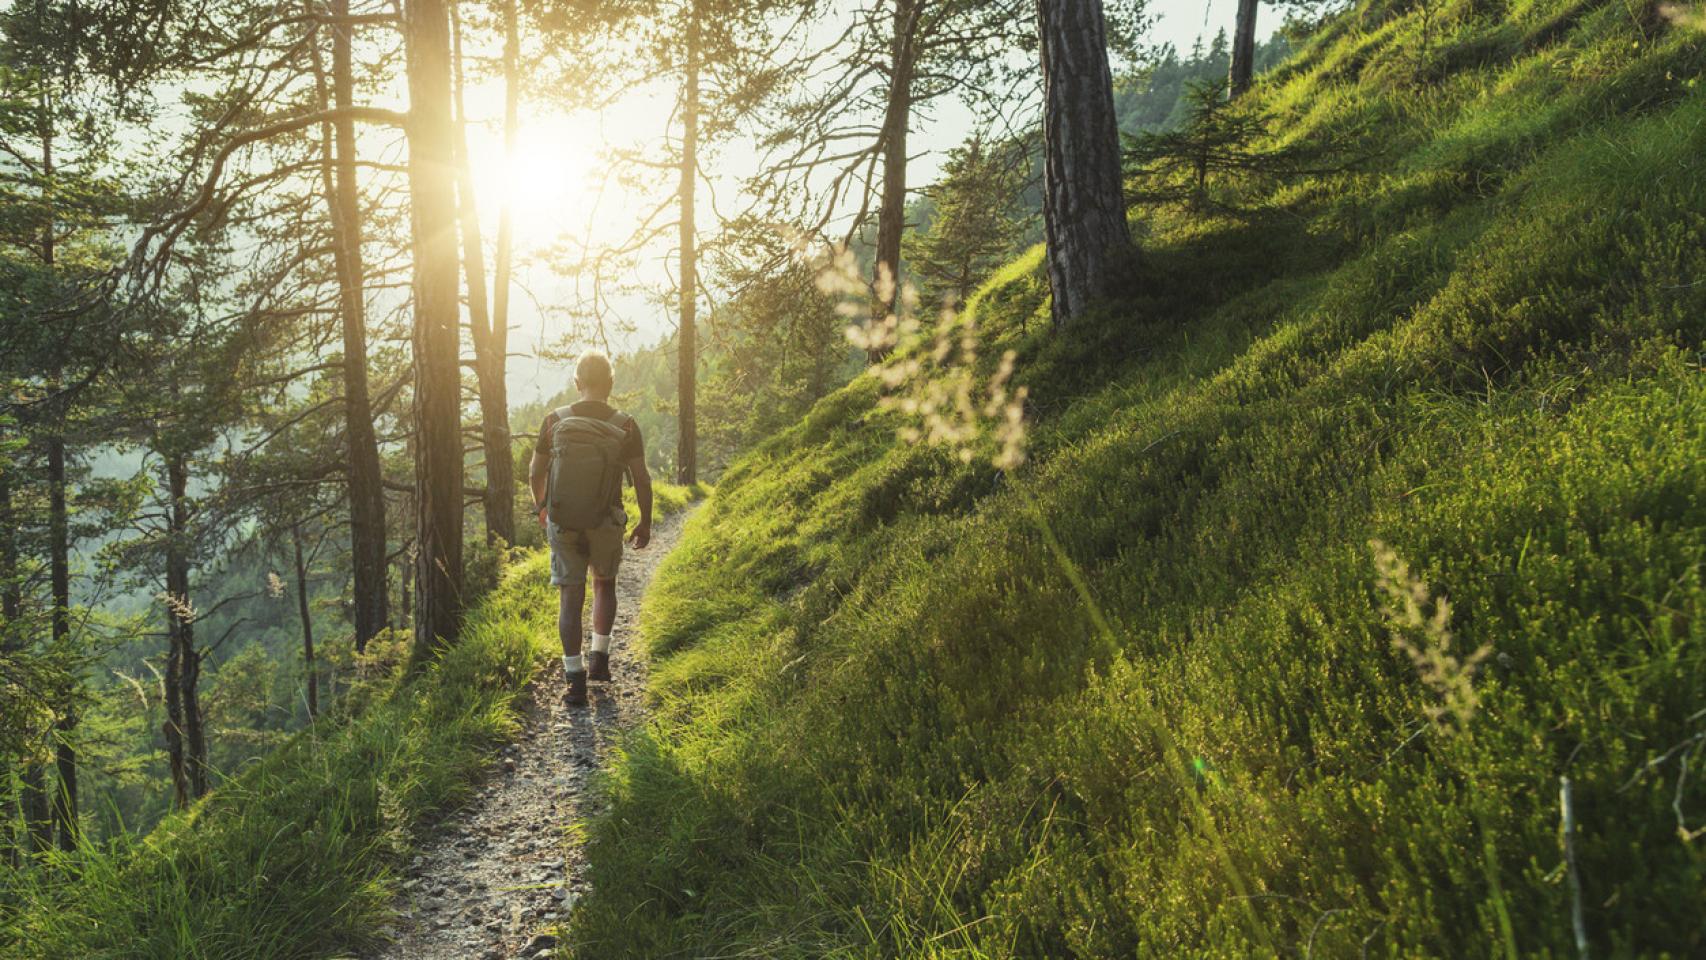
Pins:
x: 550, y: 180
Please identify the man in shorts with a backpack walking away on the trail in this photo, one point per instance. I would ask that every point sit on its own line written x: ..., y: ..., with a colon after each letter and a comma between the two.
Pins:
x: 577, y: 482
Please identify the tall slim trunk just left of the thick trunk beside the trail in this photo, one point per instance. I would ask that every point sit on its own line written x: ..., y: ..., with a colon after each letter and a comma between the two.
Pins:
x: 363, y: 475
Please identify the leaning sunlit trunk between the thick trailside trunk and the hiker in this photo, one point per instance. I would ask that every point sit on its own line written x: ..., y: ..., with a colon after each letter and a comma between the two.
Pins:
x: 489, y: 364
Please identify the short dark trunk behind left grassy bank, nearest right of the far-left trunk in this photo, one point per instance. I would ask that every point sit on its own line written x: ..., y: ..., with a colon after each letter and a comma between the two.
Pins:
x: 185, y: 741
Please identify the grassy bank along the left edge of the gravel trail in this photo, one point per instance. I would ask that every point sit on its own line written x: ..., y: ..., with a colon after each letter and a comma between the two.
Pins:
x: 293, y: 857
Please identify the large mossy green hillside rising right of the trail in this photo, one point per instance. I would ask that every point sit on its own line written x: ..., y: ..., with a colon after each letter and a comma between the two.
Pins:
x: 888, y: 727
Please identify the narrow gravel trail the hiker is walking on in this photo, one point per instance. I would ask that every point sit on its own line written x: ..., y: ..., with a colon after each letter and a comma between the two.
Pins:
x: 499, y: 872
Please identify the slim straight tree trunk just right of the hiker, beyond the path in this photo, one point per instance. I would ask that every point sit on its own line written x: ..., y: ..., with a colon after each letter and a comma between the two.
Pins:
x: 687, y: 342
